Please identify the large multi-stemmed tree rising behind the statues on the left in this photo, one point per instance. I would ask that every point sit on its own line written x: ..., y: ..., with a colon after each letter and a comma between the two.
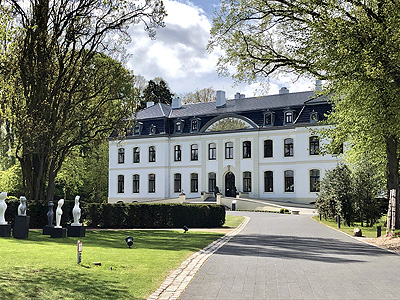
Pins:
x: 65, y: 92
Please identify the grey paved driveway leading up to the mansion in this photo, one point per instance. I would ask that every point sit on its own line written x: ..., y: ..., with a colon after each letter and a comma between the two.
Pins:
x: 293, y: 257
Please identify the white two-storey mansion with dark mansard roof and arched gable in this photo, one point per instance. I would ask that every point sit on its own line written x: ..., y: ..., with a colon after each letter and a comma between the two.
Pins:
x: 261, y: 146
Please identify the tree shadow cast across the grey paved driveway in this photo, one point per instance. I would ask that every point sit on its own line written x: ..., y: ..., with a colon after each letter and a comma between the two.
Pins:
x: 303, y: 248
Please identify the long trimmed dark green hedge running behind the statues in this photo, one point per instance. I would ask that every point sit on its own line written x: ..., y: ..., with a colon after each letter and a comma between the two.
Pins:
x: 121, y: 215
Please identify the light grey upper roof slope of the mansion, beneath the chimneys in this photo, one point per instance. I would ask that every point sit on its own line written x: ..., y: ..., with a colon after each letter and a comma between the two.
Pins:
x: 232, y: 106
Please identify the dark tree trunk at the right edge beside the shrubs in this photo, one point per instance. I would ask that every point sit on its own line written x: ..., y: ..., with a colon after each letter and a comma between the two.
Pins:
x: 392, y: 172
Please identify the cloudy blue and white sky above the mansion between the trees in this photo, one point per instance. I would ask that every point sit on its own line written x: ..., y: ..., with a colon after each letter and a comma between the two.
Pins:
x: 179, y: 55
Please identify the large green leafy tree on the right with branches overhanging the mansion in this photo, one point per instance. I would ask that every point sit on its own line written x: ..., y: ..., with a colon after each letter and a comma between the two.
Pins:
x: 352, y: 44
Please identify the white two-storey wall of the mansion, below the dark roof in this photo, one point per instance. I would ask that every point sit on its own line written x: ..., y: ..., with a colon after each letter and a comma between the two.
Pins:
x: 165, y: 166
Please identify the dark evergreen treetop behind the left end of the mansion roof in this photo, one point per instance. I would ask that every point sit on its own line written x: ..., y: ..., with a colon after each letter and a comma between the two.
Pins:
x: 157, y: 91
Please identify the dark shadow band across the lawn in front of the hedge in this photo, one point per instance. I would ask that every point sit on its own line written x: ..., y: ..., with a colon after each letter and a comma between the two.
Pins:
x: 145, y: 239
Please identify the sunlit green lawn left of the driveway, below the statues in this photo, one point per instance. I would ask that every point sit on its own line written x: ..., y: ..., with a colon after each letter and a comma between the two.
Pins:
x: 44, y: 268
